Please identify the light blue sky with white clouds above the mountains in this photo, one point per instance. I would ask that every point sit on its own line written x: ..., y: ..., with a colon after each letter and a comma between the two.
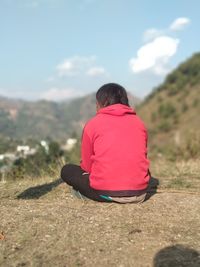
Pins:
x: 61, y: 49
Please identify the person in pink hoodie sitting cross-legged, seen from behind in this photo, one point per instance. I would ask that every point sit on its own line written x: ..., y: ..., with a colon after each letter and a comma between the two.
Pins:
x: 114, y: 164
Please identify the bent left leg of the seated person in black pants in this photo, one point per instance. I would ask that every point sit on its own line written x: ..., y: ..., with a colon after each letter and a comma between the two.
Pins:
x: 74, y: 176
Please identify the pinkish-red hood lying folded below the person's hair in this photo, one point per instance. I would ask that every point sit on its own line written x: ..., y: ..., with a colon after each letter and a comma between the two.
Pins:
x: 116, y: 110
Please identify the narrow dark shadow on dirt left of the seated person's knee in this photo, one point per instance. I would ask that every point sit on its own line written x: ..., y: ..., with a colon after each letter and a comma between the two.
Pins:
x: 38, y: 191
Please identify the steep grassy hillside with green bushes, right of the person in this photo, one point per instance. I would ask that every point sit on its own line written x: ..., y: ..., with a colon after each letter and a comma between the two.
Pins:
x: 171, y: 111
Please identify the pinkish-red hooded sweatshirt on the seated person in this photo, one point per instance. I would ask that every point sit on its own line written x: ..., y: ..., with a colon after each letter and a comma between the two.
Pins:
x: 114, y: 152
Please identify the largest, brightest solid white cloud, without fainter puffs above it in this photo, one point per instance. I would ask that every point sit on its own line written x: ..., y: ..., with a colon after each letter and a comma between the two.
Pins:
x: 155, y: 55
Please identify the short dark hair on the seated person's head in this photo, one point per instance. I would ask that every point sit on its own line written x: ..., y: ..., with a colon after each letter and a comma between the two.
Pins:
x: 110, y: 94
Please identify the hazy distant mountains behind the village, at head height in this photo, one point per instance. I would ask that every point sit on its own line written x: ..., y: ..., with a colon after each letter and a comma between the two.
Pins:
x: 21, y: 119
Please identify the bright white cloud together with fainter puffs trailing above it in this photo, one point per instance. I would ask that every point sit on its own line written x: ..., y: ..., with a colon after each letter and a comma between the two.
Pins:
x: 159, y: 48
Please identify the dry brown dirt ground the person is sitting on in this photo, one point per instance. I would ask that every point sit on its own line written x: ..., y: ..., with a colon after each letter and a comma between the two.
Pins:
x: 42, y: 224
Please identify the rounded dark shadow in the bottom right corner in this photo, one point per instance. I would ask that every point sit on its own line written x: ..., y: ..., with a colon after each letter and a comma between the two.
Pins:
x: 177, y: 255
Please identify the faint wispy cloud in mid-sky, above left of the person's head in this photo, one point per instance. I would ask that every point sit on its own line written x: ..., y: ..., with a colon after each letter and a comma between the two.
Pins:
x: 74, y: 65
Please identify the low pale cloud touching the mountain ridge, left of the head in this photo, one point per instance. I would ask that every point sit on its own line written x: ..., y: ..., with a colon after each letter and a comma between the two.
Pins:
x: 58, y: 94
